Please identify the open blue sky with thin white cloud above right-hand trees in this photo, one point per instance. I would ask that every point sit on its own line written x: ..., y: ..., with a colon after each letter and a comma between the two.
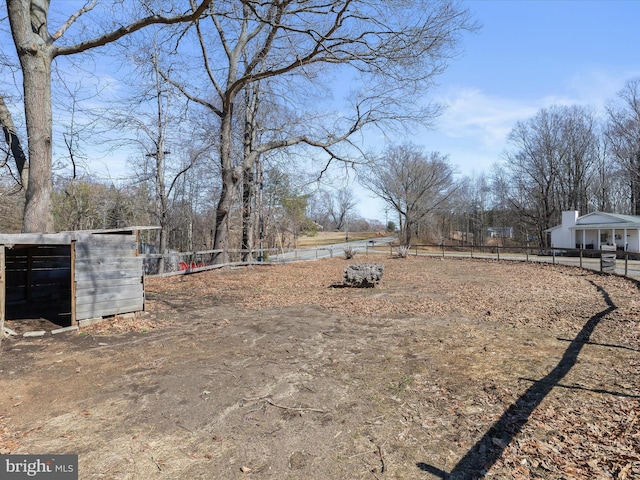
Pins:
x: 528, y: 55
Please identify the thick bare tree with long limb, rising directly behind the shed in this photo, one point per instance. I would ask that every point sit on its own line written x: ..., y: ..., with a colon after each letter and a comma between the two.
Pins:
x: 37, y: 48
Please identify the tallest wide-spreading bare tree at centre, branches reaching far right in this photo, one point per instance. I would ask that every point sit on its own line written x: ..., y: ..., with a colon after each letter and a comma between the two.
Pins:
x: 394, y: 48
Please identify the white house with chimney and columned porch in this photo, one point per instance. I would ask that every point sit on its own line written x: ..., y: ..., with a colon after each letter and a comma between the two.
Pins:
x: 595, y: 230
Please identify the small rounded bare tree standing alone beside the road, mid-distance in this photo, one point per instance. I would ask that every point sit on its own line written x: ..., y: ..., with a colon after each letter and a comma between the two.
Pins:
x: 414, y: 184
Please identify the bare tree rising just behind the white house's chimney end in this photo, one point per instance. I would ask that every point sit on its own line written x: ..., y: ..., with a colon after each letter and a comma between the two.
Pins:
x: 551, y: 166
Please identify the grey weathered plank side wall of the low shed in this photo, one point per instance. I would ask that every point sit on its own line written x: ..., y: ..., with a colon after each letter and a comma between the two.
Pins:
x: 107, y: 276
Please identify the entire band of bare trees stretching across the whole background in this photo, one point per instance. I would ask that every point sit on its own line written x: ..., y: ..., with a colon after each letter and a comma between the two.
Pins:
x: 246, y: 120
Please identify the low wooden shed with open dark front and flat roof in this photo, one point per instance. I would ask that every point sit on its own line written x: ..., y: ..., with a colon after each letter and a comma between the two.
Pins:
x: 71, y: 276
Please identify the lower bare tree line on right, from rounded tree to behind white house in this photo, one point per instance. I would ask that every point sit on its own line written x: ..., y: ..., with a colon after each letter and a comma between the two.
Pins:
x: 566, y: 157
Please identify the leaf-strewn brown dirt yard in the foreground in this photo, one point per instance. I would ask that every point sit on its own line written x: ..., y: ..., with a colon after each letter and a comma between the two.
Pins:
x: 454, y: 368
